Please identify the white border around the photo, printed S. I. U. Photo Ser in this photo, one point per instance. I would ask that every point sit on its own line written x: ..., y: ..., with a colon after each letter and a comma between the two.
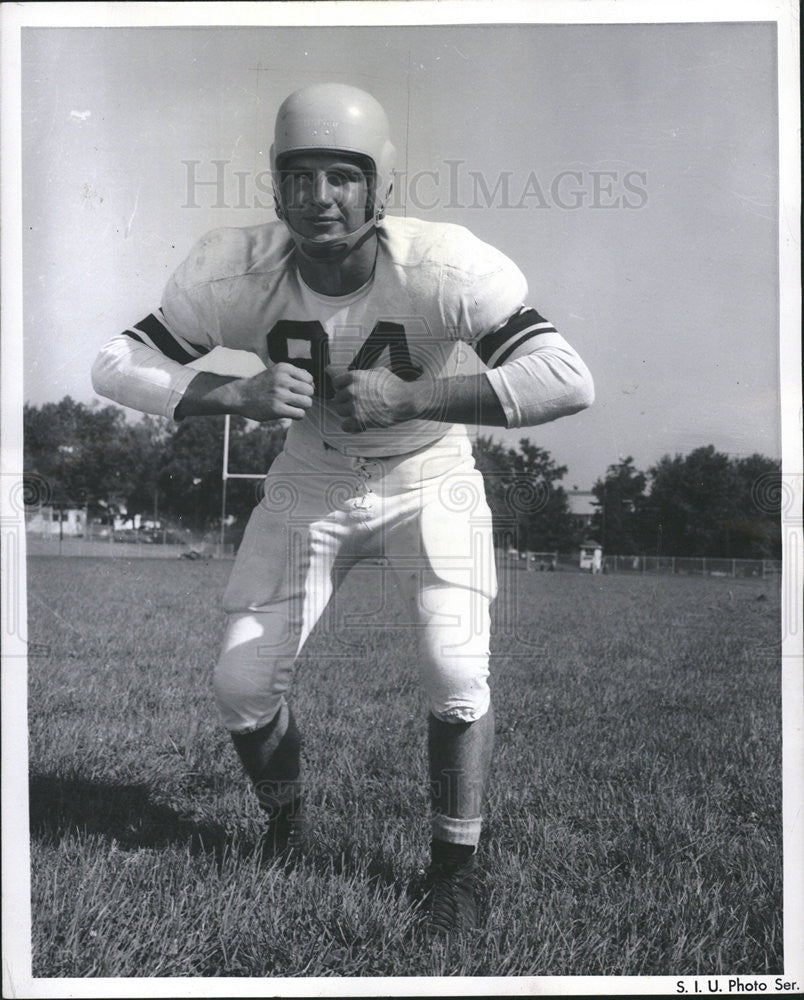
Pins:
x: 17, y: 978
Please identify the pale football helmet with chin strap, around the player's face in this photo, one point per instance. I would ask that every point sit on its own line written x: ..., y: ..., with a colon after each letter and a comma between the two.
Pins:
x: 337, y: 117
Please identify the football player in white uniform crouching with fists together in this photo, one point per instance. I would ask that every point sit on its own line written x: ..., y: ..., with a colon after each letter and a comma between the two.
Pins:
x: 363, y: 323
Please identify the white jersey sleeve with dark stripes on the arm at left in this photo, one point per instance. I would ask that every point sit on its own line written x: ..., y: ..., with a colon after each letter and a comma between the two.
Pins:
x: 144, y: 367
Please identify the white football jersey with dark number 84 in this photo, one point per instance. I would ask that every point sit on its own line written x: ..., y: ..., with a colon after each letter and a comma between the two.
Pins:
x: 436, y: 287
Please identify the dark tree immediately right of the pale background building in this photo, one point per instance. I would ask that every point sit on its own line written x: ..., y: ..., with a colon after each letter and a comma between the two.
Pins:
x: 619, y: 523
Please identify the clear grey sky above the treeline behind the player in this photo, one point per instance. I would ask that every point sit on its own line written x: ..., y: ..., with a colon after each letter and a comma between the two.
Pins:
x: 629, y: 170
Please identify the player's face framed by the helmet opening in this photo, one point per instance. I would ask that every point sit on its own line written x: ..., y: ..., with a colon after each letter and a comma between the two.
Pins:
x: 324, y: 194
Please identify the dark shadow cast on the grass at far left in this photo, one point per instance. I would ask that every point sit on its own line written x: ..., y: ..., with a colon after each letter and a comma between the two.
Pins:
x: 124, y: 813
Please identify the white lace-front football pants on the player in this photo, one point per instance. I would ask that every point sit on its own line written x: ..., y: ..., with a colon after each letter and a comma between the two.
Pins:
x: 423, y: 516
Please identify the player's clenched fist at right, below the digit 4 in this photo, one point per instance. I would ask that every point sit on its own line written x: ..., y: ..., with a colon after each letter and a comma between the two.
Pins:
x: 373, y: 398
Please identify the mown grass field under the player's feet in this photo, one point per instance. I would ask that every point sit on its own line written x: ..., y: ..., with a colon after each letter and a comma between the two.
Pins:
x: 634, y: 819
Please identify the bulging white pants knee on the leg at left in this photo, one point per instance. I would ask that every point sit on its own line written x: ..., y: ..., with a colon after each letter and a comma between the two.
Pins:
x: 254, y: 669
